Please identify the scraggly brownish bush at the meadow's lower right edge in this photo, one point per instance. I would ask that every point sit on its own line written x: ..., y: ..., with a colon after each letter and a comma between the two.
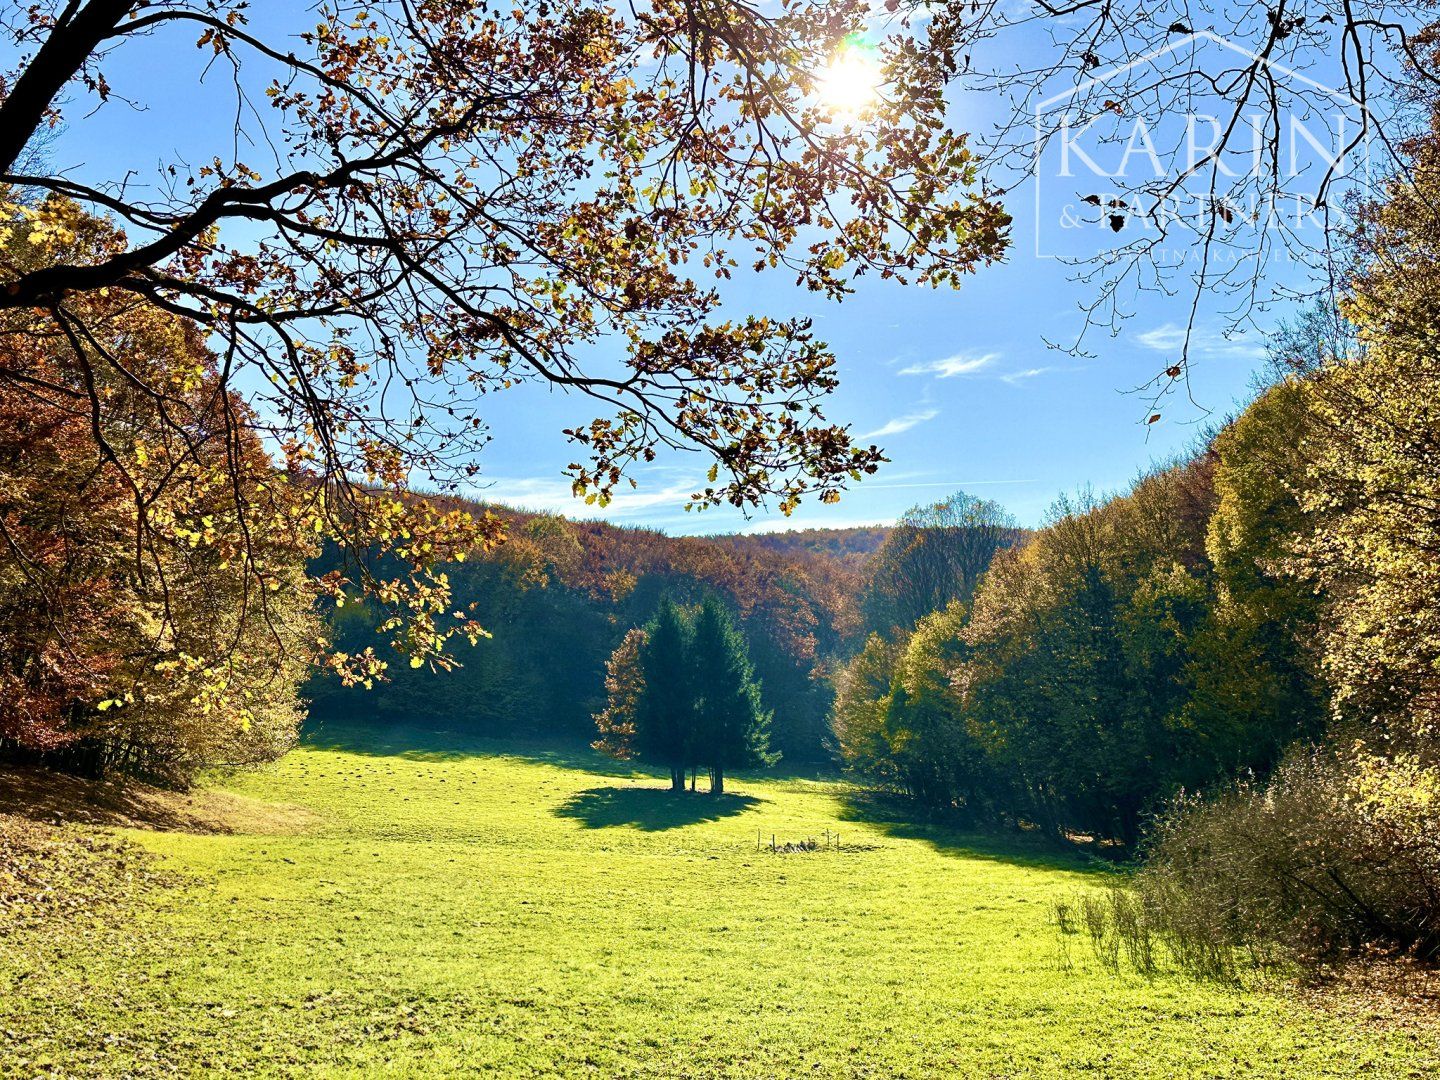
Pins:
x: 1336, y: 856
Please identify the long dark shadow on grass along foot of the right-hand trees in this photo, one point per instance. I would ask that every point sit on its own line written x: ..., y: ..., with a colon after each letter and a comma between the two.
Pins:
x: 953, y: 836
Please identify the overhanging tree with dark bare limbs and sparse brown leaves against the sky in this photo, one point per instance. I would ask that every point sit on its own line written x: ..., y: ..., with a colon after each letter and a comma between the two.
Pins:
x: 427, y: 204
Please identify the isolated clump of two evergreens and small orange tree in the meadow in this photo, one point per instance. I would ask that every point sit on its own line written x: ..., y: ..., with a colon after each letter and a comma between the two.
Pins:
x: 682, y: 695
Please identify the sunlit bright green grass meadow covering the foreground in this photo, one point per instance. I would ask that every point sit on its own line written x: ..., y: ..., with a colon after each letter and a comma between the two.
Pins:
x: 456, y: 906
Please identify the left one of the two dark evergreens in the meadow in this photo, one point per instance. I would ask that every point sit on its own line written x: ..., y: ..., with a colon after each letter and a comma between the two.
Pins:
x: 665, y: 711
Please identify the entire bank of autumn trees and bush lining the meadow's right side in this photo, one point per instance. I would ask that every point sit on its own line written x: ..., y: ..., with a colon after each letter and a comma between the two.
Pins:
x: 1264, y: 613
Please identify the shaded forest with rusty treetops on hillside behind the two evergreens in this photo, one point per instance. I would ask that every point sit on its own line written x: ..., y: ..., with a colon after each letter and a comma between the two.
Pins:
x: 559, y: 597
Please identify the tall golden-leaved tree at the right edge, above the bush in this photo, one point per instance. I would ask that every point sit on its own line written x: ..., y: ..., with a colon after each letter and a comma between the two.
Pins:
x: 1376, y: 474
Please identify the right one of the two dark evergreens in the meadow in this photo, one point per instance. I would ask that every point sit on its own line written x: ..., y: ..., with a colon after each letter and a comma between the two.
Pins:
x: 732, y: 729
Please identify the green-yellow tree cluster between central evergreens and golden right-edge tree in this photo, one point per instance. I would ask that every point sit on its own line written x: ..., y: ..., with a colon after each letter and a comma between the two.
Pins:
x: 1128, y: 650
